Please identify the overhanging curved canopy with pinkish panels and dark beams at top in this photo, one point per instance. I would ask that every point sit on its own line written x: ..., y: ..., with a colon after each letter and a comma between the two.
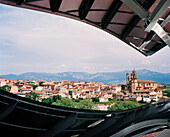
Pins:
x: 142, y: 24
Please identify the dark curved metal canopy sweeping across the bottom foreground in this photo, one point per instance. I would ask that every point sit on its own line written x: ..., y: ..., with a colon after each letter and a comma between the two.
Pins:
x: 23, y: 117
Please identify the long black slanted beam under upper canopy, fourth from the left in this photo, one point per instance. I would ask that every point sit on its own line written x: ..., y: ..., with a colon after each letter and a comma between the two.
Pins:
x: 111, y: 13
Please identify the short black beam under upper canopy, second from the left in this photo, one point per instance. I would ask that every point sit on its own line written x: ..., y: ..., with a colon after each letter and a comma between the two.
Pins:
x: 55, y: 5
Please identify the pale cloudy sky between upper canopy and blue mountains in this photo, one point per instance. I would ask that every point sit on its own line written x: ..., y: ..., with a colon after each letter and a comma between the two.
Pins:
x: 32, y: 41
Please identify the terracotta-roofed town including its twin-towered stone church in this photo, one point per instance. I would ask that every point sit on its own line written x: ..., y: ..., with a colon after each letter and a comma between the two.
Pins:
x: 136, y: 90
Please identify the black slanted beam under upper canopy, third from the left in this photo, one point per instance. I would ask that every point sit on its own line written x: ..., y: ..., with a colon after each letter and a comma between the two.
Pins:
x: 84, y: 8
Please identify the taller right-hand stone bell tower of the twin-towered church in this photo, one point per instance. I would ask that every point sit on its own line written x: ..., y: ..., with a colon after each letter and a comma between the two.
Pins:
x: 134, y: 81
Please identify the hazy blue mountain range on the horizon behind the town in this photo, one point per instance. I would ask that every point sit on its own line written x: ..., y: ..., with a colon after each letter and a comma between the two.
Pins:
x: 103, y: 77
